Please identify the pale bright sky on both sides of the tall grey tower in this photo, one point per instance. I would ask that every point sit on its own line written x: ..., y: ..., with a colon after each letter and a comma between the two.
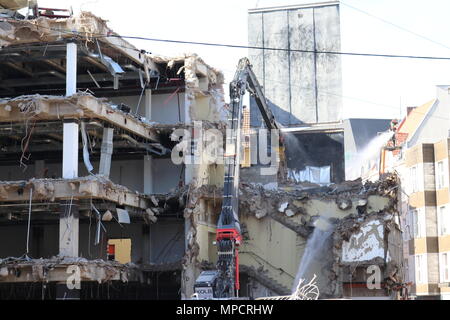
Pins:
x: 372, y: 87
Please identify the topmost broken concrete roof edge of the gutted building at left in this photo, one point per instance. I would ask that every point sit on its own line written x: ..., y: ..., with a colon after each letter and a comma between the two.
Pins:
x: 89, y: 28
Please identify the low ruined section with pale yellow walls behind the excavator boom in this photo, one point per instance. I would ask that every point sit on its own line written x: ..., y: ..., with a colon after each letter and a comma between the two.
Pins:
x: 341, y: 233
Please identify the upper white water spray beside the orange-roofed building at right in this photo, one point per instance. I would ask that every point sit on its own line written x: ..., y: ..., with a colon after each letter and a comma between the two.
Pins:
x: 370, y: 153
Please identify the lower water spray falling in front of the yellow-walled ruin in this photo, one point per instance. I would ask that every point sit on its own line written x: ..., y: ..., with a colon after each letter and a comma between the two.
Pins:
x: 315, y: 252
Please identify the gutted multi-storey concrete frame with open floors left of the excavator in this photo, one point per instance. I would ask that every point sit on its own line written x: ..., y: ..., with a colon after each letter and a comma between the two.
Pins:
x: 65, y: 194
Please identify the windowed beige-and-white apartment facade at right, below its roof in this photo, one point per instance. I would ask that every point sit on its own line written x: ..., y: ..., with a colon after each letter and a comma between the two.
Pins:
x: 427, y: 221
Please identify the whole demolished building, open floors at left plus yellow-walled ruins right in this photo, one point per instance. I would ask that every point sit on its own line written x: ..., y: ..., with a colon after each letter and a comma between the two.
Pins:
x: 92, y: 205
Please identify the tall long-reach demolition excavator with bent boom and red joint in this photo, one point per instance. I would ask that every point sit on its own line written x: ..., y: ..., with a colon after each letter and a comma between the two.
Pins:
x: 224, y: 282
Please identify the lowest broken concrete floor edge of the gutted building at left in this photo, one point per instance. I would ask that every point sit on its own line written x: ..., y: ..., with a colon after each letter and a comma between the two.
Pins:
x: 58, y: 269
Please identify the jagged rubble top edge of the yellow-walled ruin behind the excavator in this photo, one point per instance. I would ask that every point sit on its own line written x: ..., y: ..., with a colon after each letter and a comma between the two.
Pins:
x: 289, y: 206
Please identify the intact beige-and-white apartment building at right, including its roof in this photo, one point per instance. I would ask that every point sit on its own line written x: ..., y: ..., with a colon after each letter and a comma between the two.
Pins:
x: 418, y: 152
